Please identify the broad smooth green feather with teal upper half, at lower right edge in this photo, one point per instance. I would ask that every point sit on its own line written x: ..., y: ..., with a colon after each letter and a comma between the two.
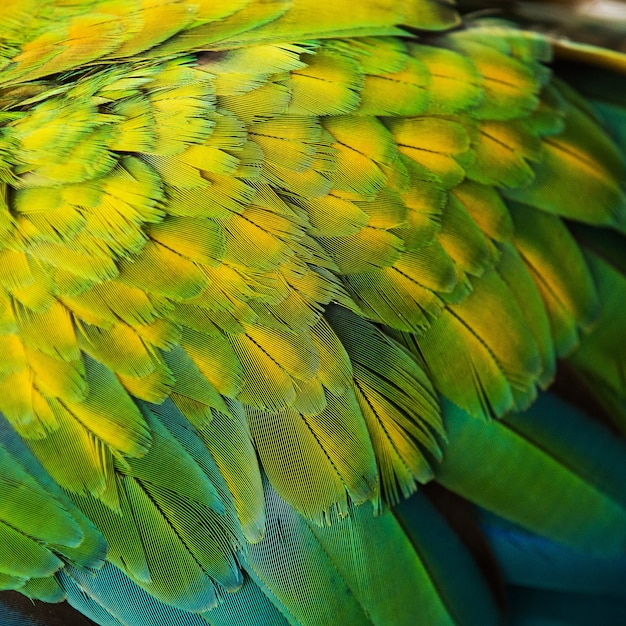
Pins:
x: 586, y: 511
